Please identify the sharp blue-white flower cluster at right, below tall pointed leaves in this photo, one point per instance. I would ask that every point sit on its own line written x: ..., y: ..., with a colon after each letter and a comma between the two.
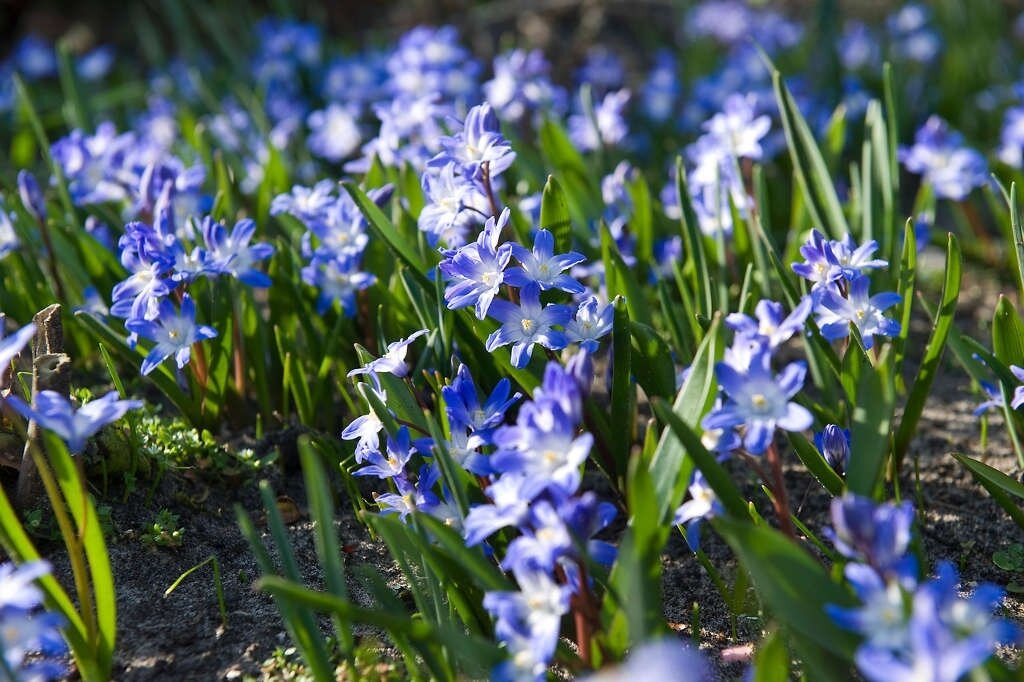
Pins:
x: 841, y: 288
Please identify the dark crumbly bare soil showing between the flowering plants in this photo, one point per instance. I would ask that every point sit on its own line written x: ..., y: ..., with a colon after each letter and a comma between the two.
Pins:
x: 181, y: 637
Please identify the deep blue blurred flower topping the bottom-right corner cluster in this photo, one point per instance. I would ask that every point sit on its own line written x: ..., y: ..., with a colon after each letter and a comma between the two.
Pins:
x: 876, y: 534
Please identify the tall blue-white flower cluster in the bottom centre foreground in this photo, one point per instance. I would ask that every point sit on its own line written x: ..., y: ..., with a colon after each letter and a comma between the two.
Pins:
x: 535, y: 489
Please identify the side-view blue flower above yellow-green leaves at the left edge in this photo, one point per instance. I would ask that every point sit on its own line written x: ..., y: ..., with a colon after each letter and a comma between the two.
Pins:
x: 56, y: 413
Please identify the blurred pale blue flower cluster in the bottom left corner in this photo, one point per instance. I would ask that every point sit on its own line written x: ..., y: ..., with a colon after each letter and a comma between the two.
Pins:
x: 30, y: 637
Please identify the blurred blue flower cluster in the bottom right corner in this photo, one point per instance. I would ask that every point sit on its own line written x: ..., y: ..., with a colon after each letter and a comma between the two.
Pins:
x: 911, y: 629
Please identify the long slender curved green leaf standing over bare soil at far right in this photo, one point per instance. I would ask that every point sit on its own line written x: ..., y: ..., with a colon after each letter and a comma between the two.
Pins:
x: 933, y: 353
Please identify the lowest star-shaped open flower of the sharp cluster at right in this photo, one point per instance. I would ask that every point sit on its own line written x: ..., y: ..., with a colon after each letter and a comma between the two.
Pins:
x: 837, y: 313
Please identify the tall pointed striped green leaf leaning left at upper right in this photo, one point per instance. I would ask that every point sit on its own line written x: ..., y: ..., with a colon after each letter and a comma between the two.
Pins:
x: 812, y: 170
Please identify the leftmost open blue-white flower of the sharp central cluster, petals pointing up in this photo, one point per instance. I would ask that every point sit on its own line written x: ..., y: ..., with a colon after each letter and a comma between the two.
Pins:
x: 477, y: 272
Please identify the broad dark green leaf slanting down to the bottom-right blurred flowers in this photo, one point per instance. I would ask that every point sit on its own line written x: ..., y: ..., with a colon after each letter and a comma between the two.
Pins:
x: 791, y: 584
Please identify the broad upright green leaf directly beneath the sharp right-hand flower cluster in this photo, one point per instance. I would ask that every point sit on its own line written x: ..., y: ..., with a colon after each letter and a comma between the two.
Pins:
x: 870, y: 429
